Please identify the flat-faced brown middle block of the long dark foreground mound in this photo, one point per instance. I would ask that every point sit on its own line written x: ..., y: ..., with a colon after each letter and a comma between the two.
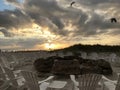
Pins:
x: 66, y: 67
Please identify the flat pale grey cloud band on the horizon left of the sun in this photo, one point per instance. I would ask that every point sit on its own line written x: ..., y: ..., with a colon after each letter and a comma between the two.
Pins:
x: 20, y: 43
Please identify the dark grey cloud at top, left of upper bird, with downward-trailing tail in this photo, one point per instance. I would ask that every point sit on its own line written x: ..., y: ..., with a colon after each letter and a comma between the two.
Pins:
x: 45, y: 8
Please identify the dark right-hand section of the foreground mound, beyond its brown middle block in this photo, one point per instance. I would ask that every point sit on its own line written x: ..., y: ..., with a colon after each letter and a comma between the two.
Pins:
x: 95, y: 66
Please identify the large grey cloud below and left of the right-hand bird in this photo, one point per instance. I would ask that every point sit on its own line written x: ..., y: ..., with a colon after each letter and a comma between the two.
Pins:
x: 96, y: 22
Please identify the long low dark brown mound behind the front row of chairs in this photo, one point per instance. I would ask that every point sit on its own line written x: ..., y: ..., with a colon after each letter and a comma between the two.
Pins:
x: 72, y: 65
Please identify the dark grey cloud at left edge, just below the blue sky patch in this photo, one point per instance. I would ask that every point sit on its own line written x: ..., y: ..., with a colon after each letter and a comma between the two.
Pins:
x: 9, y: 21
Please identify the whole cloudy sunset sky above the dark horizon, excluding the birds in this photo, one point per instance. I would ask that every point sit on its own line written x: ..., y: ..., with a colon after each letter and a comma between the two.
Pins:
x: 55, y: 24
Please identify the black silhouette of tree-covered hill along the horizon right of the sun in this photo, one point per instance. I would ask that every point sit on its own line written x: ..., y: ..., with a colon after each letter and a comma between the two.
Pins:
x: 92, y: 48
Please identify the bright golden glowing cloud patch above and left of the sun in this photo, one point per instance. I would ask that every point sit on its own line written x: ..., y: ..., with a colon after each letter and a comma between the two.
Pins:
x: 33, y: 31
